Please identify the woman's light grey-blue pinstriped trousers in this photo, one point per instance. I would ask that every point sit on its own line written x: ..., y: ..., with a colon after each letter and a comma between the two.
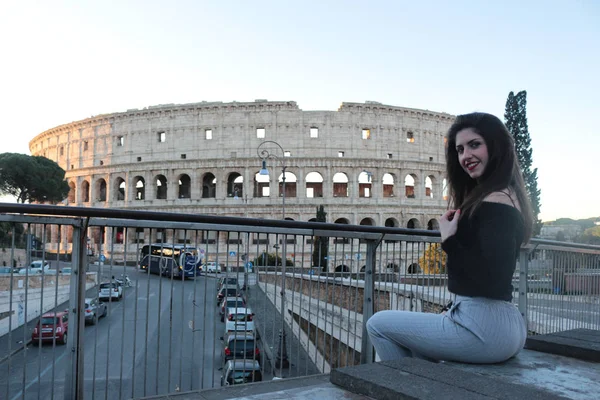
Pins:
x: 474, y: 330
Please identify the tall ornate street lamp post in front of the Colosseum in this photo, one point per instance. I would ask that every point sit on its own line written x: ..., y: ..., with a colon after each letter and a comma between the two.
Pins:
x: 265, y: 152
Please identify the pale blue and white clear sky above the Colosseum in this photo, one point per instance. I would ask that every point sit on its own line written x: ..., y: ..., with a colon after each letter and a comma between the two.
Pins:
x: 64, y: 61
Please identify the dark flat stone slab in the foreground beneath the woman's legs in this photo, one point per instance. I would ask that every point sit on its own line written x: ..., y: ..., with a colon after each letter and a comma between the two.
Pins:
x: 411, y: 378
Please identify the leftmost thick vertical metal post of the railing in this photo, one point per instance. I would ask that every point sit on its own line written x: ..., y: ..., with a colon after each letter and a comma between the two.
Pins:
x: 74, y: 382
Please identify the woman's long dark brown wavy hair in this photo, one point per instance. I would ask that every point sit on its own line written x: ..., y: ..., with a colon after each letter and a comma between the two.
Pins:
x: 502, y: 170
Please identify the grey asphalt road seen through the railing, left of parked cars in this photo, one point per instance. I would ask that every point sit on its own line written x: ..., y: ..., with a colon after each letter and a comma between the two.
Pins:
x: 162, y: 337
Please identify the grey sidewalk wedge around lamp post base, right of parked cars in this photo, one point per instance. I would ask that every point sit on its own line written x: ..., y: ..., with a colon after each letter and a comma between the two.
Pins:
x: 268, y: 323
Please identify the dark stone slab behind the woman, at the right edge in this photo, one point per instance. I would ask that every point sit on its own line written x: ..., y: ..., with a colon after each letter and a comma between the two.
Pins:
x: 583, y: 344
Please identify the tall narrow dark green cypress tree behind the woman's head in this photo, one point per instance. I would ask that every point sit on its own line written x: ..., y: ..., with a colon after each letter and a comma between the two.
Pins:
x: 516, y: 121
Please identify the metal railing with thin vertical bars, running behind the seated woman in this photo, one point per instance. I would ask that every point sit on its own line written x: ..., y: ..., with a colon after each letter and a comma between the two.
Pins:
x: 311, y: 287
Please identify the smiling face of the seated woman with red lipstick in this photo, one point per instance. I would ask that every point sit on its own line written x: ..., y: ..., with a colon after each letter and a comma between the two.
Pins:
x: 472, y: 152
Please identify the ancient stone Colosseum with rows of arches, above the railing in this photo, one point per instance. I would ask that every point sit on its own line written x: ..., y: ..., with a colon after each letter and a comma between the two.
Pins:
x: 366, y: 163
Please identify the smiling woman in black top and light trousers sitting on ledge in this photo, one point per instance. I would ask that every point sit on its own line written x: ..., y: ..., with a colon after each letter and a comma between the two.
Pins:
x: 489, y: 218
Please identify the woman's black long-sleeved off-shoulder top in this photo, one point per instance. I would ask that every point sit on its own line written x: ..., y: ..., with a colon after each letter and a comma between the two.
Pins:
x: 482, y: 254
